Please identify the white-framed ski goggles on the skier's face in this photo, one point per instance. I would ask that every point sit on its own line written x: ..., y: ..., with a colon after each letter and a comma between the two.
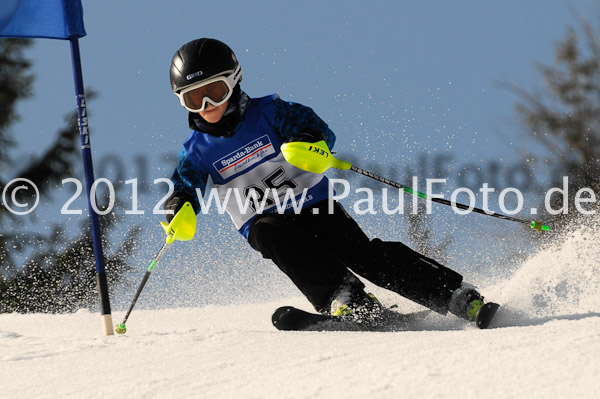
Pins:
x: 215, y: 91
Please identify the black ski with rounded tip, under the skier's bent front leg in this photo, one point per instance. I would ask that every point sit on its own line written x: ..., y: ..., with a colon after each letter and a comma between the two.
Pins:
x: 289, y: 318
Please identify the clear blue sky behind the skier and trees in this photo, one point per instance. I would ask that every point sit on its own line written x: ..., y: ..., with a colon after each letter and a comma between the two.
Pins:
x: 399, y: 82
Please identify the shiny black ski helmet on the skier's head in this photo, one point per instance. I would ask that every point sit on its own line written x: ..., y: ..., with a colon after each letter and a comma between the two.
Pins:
x: 200, y: 60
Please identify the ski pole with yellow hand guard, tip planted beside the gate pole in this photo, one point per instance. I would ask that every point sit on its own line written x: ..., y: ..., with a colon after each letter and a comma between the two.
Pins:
x: 181, y: 228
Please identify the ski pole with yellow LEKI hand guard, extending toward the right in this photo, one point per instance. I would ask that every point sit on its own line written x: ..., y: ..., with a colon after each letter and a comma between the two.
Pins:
x: 317, y: 158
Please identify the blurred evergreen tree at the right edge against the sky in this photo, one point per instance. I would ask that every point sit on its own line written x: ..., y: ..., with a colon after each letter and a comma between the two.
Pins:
x: 565, y: 116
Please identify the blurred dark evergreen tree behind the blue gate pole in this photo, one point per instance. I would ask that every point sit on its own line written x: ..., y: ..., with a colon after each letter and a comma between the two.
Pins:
x: 46, y: 272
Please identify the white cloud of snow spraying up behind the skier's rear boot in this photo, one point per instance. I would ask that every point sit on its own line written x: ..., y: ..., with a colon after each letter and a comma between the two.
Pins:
x: 560, y: 281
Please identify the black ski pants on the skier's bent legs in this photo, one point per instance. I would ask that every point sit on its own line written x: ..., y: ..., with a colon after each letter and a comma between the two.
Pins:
x: 315, y: 249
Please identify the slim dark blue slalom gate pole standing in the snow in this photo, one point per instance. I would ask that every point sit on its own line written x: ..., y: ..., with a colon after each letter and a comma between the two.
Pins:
x: 86, y: 153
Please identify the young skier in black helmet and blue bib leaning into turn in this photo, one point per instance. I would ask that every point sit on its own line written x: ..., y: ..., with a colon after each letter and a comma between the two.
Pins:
x: 236, y: 141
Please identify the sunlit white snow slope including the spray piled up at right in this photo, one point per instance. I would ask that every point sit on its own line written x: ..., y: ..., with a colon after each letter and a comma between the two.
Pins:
x: 545, y: 344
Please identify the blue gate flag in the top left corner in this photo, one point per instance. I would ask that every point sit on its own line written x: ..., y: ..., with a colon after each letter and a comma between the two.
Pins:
x: 52, y: 19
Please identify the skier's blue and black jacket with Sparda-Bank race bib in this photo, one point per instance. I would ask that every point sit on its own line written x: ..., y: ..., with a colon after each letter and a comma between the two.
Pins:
x: 249, y: 162
